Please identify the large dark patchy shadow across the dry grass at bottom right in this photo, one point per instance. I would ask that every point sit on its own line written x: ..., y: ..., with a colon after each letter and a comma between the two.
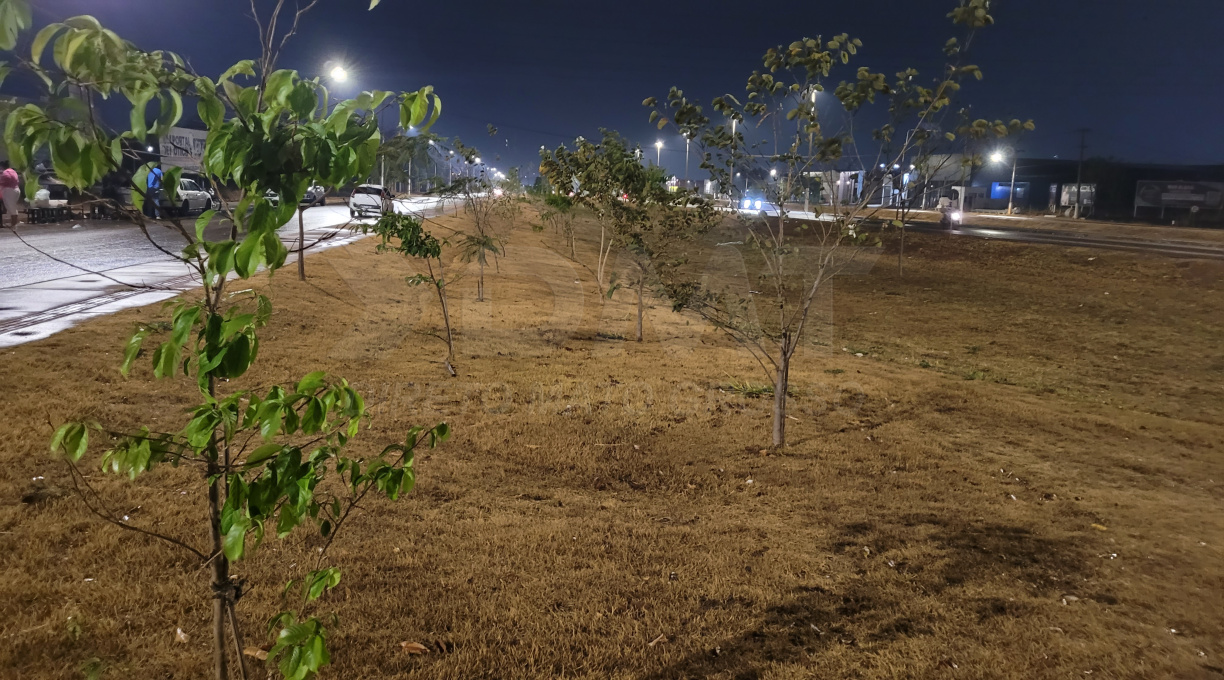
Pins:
x: 878, y: 611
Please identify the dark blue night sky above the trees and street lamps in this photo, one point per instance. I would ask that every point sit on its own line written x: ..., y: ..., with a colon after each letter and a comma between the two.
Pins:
x: 1146, y: 76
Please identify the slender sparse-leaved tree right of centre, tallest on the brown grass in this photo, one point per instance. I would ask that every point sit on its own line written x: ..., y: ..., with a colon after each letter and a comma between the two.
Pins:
x: 783, y: 103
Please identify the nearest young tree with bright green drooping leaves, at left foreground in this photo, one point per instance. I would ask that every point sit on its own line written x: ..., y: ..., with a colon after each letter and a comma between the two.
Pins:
x: 269, y: 462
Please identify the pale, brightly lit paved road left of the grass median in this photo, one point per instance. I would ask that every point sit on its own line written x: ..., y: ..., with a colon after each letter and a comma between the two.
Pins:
x: 96, y: 268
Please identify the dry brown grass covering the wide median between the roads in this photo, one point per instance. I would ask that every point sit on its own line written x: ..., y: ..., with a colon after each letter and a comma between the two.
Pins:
x: 599, y: 495
